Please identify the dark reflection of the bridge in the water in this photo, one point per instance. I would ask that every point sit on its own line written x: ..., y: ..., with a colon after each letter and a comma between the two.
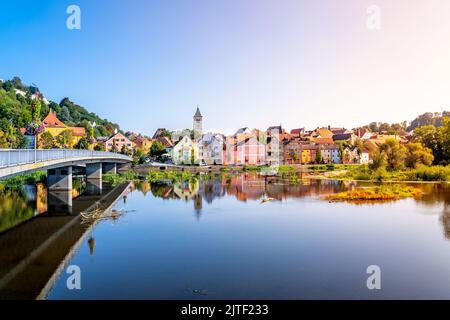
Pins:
x: 34, y: 253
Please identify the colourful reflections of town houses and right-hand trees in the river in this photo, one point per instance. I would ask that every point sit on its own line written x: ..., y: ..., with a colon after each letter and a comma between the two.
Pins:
x: 253, y: 187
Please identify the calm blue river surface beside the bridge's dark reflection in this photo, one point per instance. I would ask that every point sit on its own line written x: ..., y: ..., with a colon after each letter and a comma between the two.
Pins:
x: 220, y: 240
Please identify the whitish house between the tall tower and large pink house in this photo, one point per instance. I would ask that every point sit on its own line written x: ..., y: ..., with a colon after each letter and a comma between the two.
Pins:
x: 211, y: 149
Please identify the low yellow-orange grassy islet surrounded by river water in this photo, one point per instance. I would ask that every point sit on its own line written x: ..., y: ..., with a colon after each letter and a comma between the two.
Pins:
x: 379, y: 193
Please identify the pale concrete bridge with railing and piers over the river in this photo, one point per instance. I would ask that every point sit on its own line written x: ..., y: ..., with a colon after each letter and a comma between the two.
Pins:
x: 59, y: 164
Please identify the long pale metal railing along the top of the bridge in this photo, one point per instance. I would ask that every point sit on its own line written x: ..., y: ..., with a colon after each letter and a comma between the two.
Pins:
x: 16, y: 157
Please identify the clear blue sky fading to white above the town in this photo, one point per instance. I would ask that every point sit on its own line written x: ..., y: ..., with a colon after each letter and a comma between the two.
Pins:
x: 147, y: 64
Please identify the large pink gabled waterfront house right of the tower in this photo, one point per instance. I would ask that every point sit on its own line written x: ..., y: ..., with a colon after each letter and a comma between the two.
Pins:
x: 250, y: 152
